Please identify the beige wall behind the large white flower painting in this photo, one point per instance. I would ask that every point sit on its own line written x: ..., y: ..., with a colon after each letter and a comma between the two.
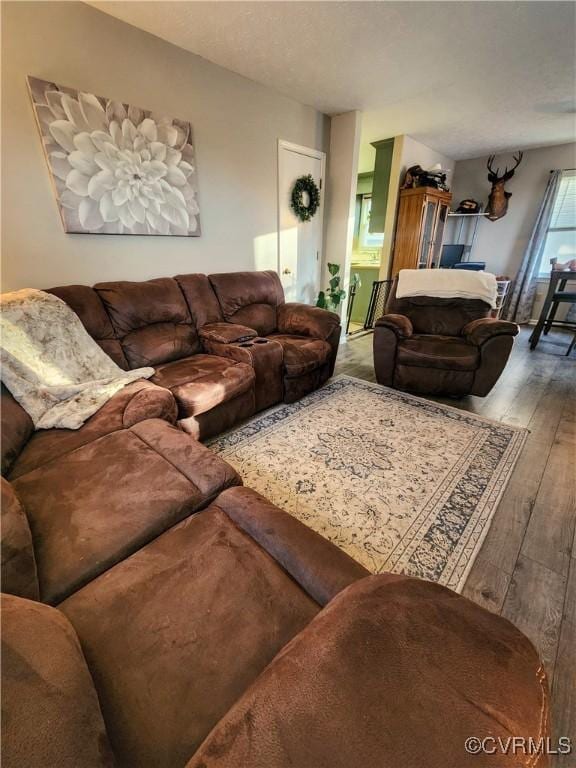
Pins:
x: 236, y: 125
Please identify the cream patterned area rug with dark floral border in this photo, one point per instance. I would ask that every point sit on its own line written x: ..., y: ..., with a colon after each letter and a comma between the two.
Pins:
x: 401, y: 483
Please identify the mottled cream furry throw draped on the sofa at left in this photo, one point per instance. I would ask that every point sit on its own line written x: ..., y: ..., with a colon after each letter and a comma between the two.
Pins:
x: 51, y: 365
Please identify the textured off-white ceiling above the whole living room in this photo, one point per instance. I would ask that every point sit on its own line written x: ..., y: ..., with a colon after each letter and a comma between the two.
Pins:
x: 464, y: 78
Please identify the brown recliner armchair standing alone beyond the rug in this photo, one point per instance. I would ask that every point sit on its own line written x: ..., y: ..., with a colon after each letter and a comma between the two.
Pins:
x: 437, y: 346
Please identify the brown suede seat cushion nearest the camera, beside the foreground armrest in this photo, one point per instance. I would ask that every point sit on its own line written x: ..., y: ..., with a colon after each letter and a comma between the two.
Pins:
x: 176, y: 633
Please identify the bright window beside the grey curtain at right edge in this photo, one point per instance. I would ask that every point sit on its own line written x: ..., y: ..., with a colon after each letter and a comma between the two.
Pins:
x: 560, y: 240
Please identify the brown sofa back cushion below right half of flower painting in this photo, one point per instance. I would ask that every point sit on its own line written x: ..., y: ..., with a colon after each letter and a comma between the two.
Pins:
x: 151, y: 319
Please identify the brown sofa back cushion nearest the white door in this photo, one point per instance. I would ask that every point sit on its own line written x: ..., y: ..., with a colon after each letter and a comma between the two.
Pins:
x: 250, y: 298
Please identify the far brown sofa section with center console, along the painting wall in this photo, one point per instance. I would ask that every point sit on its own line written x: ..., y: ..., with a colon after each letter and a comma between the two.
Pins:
x: 225, y: 345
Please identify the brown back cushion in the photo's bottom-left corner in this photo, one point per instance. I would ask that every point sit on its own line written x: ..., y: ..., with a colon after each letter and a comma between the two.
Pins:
x: 50, y: 710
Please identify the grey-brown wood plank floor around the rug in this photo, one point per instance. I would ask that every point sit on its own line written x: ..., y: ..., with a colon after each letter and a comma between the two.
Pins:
x: 526, y: 569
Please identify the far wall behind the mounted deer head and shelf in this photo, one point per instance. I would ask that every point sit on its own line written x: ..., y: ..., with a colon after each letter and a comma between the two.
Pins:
x: 501, y: 244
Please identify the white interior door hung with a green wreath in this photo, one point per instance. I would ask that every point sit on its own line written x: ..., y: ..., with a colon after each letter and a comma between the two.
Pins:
x: 299, y: 242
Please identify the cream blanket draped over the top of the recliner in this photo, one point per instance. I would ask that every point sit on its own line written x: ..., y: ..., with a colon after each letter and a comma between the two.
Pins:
x: 447, y: 284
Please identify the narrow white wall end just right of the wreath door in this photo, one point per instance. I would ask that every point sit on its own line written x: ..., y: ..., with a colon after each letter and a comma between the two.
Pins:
x: 340, y: 202
